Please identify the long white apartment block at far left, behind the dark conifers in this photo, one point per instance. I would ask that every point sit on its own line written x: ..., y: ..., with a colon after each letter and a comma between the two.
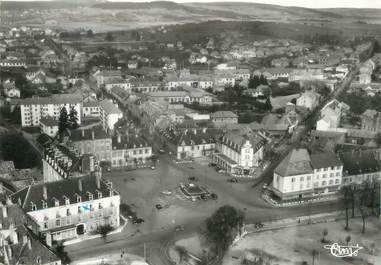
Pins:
x: 33, y: 109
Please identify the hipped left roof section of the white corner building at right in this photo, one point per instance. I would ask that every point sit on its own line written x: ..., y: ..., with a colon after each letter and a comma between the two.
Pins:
x: 297, y: 162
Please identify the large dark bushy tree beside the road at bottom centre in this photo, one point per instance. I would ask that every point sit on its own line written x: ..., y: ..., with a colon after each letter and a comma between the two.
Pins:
x: 223, y: 226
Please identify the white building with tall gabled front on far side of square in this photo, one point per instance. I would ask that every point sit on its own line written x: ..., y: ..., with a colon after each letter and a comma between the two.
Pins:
x: 239, y: 152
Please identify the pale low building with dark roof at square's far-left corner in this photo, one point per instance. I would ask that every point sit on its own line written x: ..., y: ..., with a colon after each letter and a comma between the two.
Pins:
x: 130, y: 150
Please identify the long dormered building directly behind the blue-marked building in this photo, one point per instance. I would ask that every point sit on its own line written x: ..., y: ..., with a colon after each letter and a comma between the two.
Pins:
x: 63, y: 162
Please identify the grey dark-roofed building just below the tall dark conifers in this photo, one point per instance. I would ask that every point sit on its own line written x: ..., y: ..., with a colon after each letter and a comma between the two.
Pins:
x: 94, y: 141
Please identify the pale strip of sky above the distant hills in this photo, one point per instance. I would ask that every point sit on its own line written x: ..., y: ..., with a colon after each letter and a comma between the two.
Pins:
x: 301, y: 3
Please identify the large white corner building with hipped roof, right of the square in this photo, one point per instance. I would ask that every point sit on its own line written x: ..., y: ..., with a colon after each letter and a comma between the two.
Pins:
x: 301, y: 175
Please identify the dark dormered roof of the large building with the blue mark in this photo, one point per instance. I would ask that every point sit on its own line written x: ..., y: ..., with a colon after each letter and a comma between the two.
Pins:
x: 57, y: 190
